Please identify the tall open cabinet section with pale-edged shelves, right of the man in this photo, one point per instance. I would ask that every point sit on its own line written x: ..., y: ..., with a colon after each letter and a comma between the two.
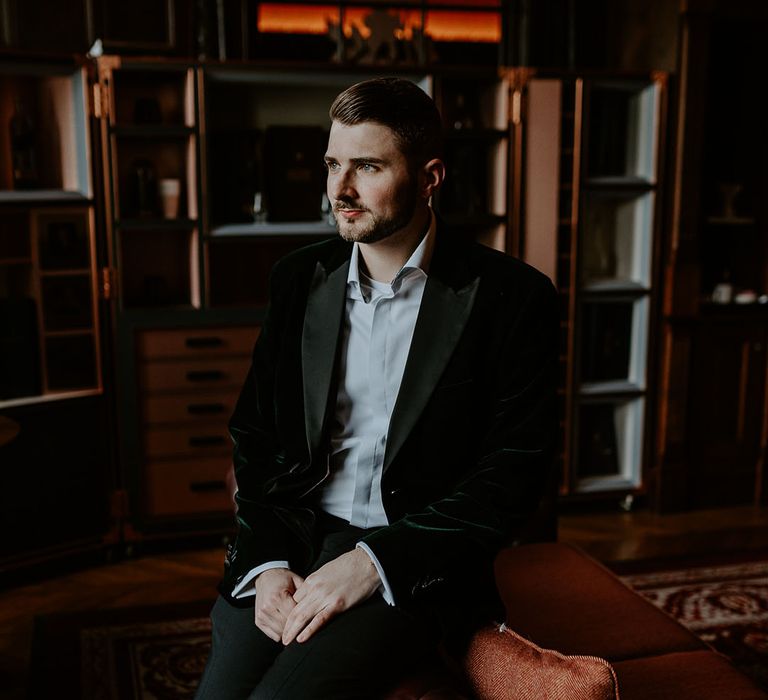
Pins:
x: 590, y: 150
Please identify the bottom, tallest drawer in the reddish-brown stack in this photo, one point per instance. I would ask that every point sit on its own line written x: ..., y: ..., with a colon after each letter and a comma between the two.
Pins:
x: 182, y: 487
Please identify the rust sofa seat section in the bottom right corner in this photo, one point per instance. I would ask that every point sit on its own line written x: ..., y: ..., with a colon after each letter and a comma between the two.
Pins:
x: 698, y: 675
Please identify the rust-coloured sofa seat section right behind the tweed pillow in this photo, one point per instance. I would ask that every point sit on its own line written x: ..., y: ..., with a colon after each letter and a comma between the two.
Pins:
x: 557, y: 596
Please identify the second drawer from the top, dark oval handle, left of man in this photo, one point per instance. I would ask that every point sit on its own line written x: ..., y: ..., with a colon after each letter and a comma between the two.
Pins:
x: 185, y: 375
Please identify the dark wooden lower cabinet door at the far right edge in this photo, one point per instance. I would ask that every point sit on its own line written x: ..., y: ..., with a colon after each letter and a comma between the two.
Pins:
x: 726, y: 412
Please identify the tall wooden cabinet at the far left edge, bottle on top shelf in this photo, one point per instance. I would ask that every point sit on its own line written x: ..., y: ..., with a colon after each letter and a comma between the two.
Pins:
x: 55, y: 408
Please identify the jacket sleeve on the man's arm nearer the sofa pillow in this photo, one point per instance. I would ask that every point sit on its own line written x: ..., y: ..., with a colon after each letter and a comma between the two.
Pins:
x: 457, y: 537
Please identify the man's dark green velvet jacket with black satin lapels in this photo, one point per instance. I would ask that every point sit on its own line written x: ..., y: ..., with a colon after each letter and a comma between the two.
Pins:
x: 471, y: 438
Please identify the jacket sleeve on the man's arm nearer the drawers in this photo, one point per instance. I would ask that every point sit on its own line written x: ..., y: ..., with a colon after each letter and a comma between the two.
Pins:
x: 271, y: 525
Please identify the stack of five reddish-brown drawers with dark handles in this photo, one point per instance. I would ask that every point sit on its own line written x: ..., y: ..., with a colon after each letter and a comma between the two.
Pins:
x: 189, y: 381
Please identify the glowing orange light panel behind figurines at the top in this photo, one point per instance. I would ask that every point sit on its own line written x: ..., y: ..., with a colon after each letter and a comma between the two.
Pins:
x: 439, y: 25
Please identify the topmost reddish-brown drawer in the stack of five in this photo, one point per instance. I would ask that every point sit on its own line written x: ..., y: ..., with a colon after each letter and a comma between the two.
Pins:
x: 196, y: 342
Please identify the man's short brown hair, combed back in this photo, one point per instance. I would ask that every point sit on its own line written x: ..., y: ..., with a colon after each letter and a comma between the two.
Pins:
x: 399, y: 105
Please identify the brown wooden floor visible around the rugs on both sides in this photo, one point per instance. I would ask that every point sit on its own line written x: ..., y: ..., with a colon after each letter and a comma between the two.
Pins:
x: 192, y: 575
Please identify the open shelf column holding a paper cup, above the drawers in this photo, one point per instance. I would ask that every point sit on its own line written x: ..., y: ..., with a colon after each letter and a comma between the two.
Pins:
x: 150, y: 139
